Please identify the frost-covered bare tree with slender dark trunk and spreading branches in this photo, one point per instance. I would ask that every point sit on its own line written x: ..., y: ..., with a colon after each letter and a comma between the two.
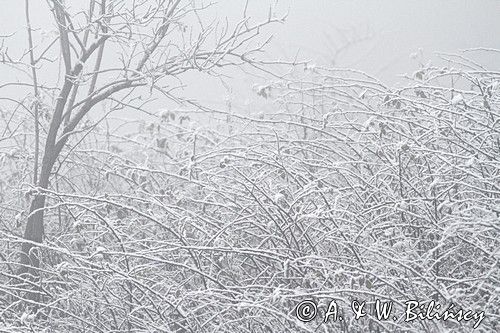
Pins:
x: 154, y: 42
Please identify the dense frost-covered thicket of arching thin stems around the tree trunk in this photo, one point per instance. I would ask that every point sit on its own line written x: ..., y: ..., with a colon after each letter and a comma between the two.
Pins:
x: 206, y: 220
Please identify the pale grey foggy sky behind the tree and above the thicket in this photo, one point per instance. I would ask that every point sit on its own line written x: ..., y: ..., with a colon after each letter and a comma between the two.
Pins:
x: 386, y: 31
